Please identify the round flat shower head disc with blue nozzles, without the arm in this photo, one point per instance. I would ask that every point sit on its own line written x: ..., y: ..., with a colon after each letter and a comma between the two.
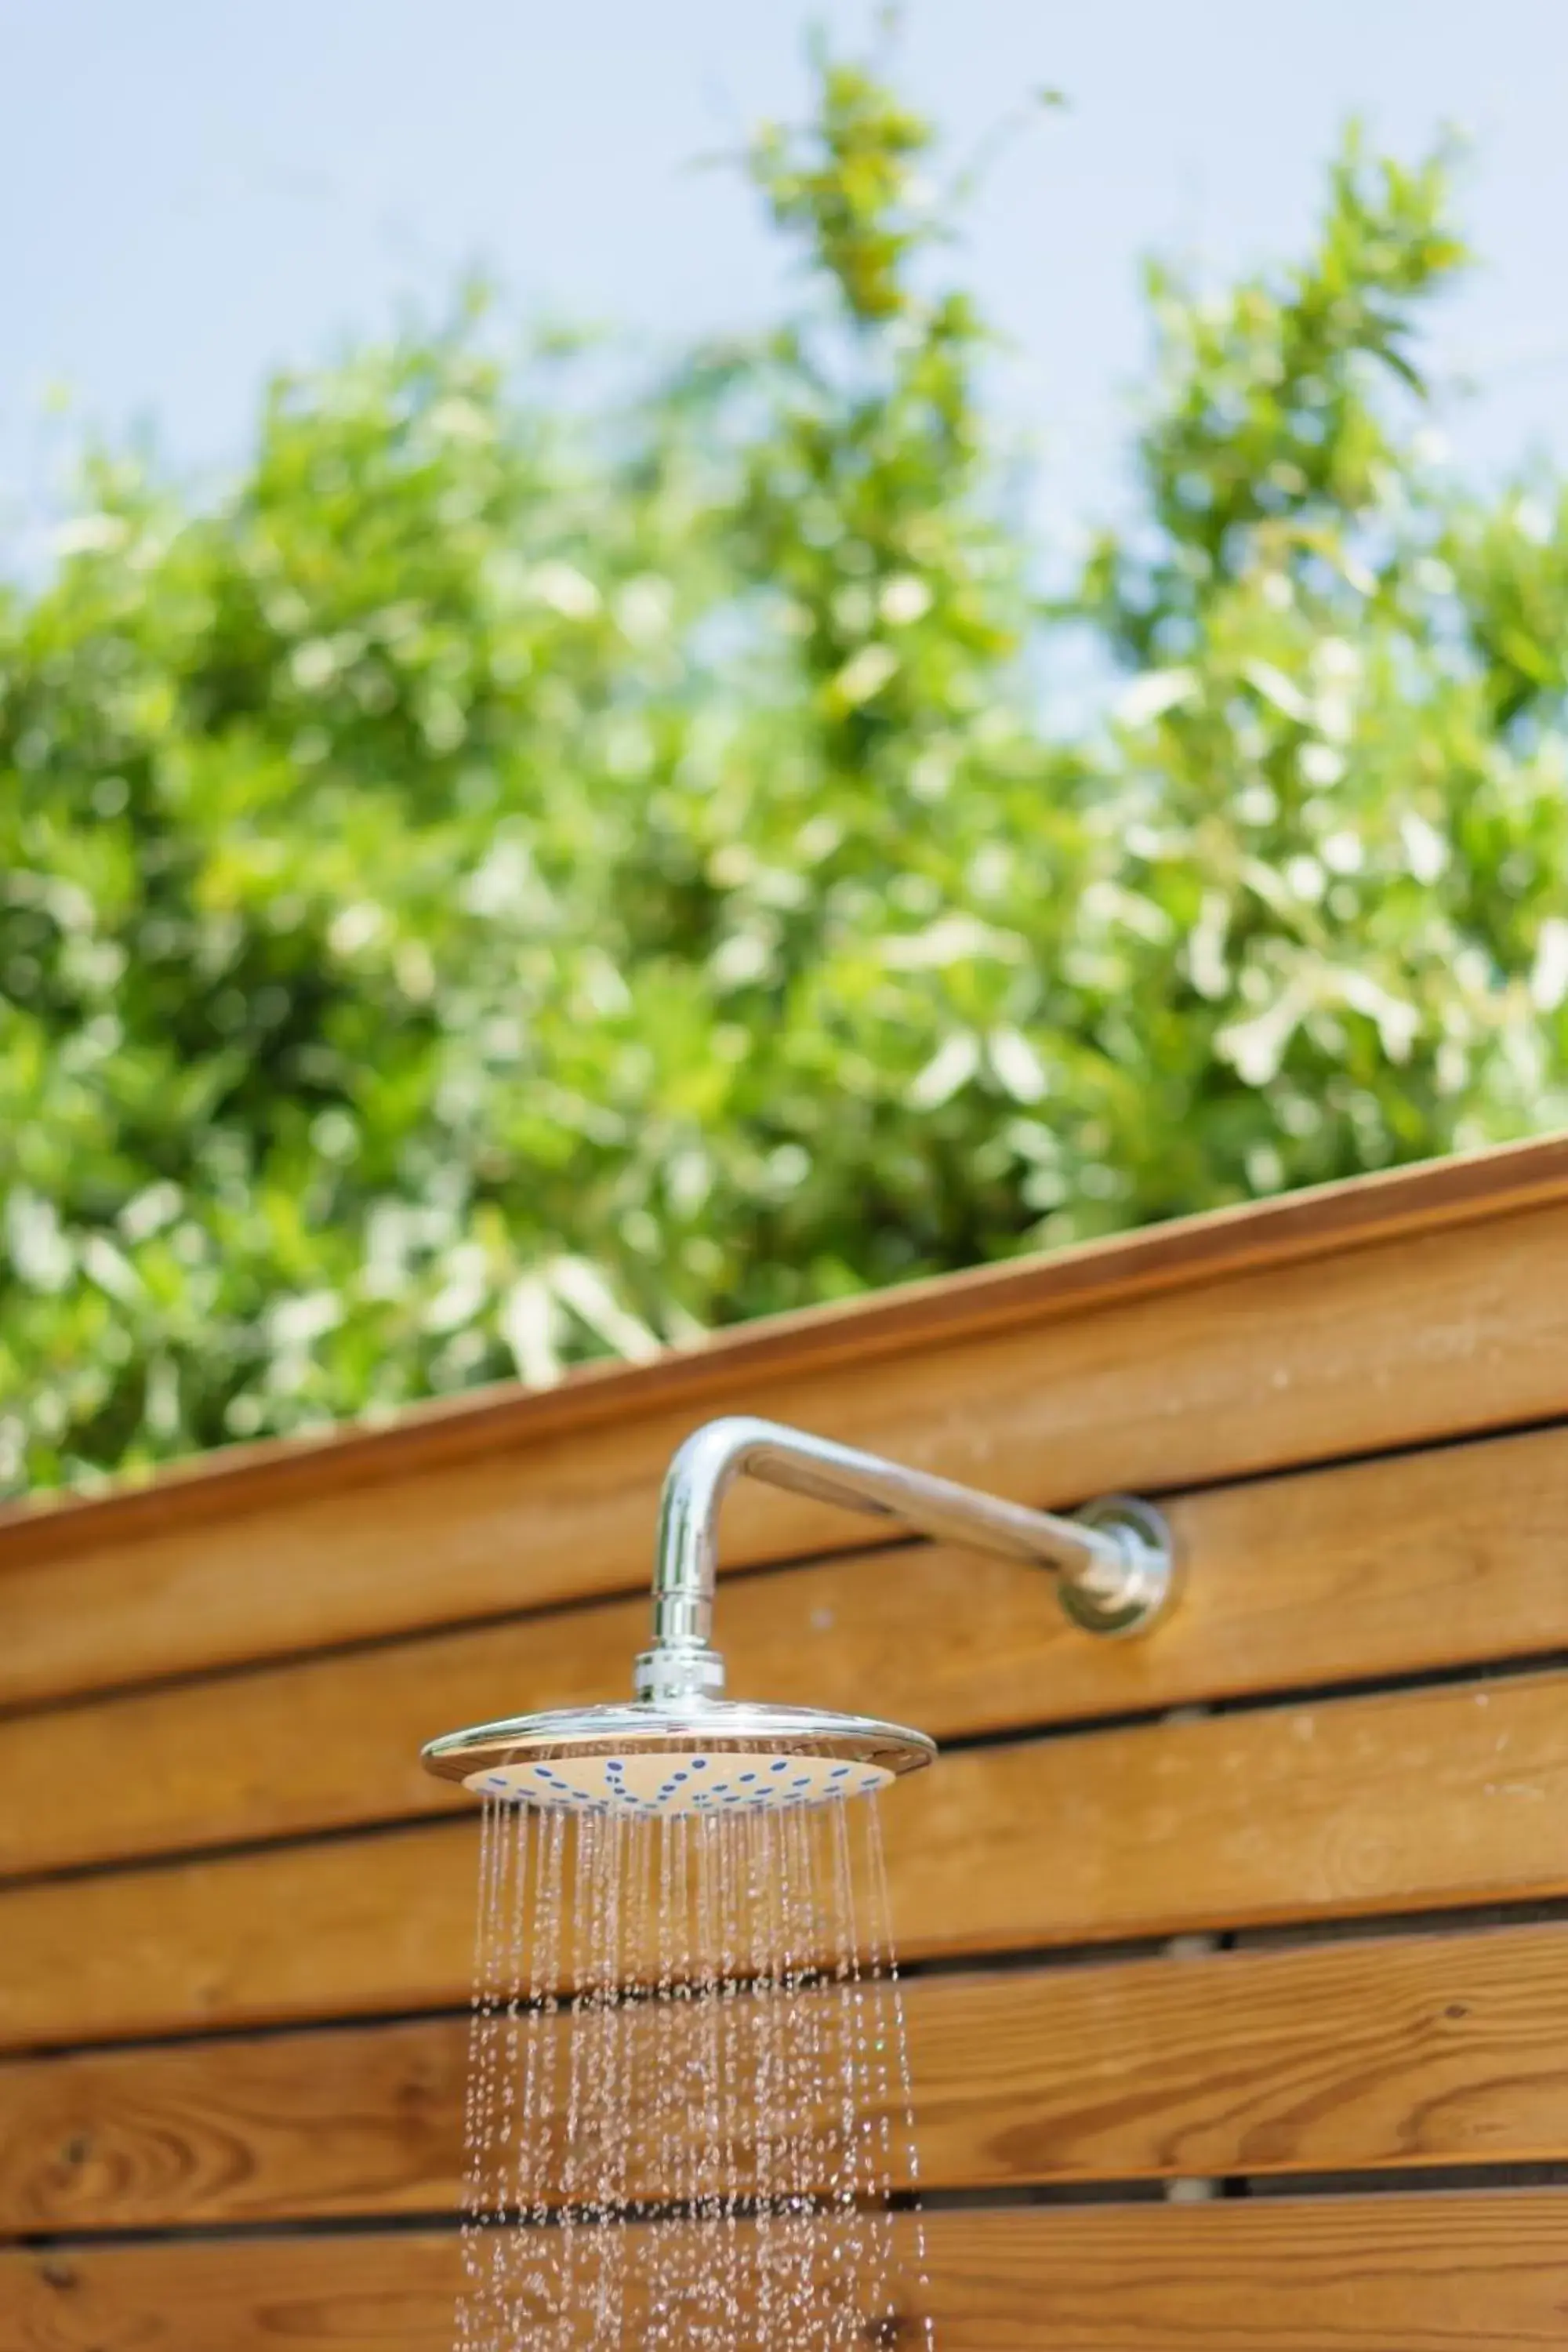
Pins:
x: 704, y: 1758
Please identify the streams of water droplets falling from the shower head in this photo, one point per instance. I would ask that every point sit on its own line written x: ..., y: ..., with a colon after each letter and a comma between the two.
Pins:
x: 690, y: 2109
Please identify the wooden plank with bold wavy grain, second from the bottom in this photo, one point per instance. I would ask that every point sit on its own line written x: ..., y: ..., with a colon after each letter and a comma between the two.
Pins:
x: 1383, y: 2052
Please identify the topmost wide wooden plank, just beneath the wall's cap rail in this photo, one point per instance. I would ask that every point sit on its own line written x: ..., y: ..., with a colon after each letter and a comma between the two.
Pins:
x: 1438, y: 1330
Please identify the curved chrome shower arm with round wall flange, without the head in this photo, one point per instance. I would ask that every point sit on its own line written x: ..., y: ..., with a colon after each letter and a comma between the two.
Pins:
x: 1113, y: 1563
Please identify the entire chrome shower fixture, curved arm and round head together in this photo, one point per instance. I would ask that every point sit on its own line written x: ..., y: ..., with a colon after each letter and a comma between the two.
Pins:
x: 681, y: 1746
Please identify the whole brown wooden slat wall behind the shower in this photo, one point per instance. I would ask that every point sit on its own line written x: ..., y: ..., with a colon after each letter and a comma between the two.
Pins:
x: 1275, y: 1902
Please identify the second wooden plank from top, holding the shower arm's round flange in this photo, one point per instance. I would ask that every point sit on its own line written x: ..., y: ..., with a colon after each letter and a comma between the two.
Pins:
x: 1355, y: 1572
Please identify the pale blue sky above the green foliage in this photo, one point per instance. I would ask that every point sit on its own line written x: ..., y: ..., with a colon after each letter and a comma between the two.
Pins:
x: 196, y: 194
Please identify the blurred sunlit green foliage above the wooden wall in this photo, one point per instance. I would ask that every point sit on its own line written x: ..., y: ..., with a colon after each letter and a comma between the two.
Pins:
x: 511, y: 881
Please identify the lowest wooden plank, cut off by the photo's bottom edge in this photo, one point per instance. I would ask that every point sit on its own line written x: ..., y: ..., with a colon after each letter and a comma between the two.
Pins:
x: 1383, y: 2273
